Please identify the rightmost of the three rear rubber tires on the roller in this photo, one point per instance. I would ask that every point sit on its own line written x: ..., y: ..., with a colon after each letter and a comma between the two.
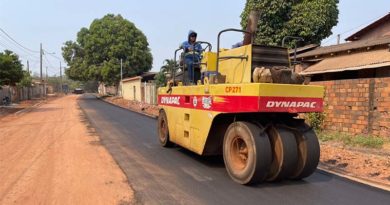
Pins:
x: 308, y: 152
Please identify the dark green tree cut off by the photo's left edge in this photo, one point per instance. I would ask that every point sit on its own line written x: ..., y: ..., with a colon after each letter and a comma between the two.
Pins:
x: 11, y: 69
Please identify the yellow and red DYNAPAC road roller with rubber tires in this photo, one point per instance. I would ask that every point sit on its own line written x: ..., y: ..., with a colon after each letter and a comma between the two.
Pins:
x: 244, y: 106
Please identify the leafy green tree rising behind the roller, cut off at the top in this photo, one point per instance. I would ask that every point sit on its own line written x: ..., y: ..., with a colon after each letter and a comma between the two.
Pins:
x: 310, y: 19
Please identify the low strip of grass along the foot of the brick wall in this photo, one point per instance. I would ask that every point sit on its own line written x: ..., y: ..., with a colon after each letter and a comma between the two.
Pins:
x: 350, y: 140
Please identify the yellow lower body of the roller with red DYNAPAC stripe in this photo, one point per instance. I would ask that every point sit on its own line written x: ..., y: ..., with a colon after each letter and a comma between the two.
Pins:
x: 191, y: 110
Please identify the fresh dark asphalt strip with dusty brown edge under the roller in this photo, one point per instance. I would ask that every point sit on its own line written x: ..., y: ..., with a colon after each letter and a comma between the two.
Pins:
x: 176, y: 176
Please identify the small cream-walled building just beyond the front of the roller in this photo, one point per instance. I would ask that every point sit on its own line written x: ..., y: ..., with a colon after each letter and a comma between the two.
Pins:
x: 140, y: 88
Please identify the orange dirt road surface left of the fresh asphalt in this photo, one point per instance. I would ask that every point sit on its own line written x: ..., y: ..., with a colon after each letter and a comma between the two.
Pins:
x: 50, y: 156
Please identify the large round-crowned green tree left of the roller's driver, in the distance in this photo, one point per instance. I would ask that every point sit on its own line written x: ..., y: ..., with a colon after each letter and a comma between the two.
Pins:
x: 98, y: 49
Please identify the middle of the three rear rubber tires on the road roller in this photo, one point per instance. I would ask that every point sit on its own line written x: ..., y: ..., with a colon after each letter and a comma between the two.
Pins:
x: 284, y: 153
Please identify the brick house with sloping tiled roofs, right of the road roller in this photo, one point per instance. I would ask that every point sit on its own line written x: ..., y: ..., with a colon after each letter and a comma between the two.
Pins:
x: 356, y: 75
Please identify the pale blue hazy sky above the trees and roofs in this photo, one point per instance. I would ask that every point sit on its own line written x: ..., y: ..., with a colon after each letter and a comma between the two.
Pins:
x: 164, y: 23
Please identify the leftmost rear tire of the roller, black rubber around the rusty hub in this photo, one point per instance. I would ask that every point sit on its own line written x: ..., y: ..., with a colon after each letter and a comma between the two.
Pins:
x: 259, y: 153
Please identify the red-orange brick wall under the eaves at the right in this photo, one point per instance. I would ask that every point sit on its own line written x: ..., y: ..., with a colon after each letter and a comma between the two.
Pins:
x: 358, y: 106
